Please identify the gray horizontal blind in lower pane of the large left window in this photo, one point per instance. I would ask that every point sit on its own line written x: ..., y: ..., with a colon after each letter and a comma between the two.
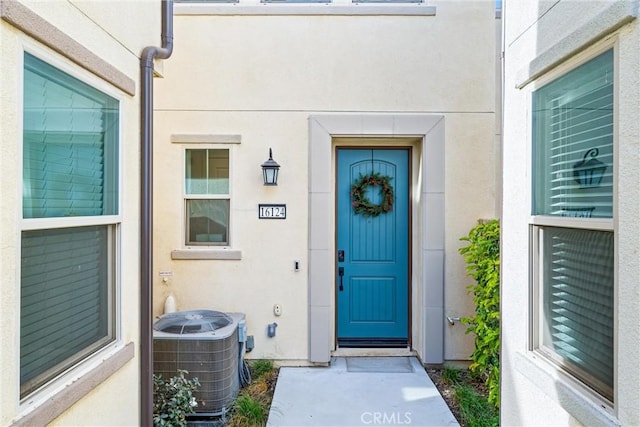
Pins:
x: 64, y: 299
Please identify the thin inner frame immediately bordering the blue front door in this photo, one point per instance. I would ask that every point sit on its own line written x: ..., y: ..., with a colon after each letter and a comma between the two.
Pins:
x: 383, y: 144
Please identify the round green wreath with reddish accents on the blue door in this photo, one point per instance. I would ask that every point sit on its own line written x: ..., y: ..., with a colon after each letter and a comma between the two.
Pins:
x: 361, y: 203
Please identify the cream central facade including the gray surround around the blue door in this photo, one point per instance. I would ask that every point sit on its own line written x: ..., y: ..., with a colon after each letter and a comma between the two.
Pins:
x: 301, y: 79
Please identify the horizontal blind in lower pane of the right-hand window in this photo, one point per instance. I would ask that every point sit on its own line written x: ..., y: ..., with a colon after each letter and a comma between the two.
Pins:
x: 578, y: 302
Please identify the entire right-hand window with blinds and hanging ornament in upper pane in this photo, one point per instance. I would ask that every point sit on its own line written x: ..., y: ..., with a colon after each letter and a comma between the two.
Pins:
x: 572, y: 211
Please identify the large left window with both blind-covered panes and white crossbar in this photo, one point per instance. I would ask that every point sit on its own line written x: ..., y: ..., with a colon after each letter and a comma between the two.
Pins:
x: 70, y: 170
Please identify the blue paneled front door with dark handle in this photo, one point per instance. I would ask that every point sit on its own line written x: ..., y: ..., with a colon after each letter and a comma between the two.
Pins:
x: 372, y: 271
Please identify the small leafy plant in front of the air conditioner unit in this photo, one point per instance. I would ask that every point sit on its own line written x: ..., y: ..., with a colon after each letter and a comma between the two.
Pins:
x: 173, y: 399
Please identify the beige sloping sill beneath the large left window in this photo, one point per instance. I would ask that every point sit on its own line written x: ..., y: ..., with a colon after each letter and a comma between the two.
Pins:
x: 58, y: 403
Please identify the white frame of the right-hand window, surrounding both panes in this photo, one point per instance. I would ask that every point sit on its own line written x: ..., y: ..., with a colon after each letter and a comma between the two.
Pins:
x: 538, y: 223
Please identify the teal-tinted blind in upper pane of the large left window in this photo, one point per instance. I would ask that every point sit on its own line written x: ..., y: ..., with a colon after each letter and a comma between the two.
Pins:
x: 70, y: 140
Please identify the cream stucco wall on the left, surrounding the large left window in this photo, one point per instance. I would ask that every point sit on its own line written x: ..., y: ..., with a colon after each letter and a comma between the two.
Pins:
x: 99, y: 36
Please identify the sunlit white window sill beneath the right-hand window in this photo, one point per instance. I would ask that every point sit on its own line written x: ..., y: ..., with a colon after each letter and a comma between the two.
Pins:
x: 577, y: 400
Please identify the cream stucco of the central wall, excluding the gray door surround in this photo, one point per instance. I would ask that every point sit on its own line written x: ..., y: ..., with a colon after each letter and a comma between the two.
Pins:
x: 261, y: 76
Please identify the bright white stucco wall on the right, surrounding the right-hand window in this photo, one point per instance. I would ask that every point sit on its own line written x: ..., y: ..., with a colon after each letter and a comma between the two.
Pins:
x: 541, y: 38
